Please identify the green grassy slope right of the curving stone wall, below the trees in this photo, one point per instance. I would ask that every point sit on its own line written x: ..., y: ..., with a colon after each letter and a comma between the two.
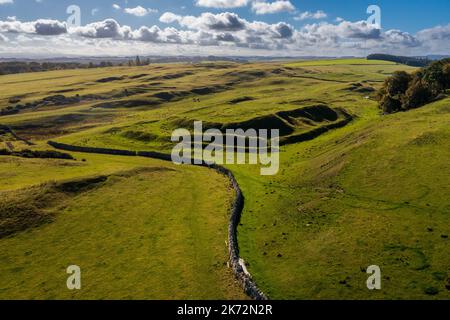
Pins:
x: 367, y: 194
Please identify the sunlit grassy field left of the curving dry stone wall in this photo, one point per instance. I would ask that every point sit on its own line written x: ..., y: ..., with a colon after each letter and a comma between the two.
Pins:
x: 147, y: 230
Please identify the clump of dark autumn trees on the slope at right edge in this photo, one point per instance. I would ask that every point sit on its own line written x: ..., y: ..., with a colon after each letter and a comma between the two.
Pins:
x: 404, y: 91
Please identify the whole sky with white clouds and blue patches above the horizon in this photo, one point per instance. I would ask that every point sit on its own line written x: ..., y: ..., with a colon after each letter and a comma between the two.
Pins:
x: 49, y: 28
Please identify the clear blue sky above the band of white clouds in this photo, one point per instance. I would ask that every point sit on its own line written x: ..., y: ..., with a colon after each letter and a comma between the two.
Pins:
x: 410, y: 16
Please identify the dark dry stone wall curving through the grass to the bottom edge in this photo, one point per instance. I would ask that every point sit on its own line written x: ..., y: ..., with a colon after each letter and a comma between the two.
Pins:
x: 241, y: 275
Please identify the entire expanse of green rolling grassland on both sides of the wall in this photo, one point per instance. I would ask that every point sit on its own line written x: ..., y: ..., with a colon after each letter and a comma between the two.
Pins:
x: 372, y: 191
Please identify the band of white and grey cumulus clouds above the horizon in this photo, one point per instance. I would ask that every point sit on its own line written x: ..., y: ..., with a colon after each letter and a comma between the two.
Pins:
x: 224, y: 30
